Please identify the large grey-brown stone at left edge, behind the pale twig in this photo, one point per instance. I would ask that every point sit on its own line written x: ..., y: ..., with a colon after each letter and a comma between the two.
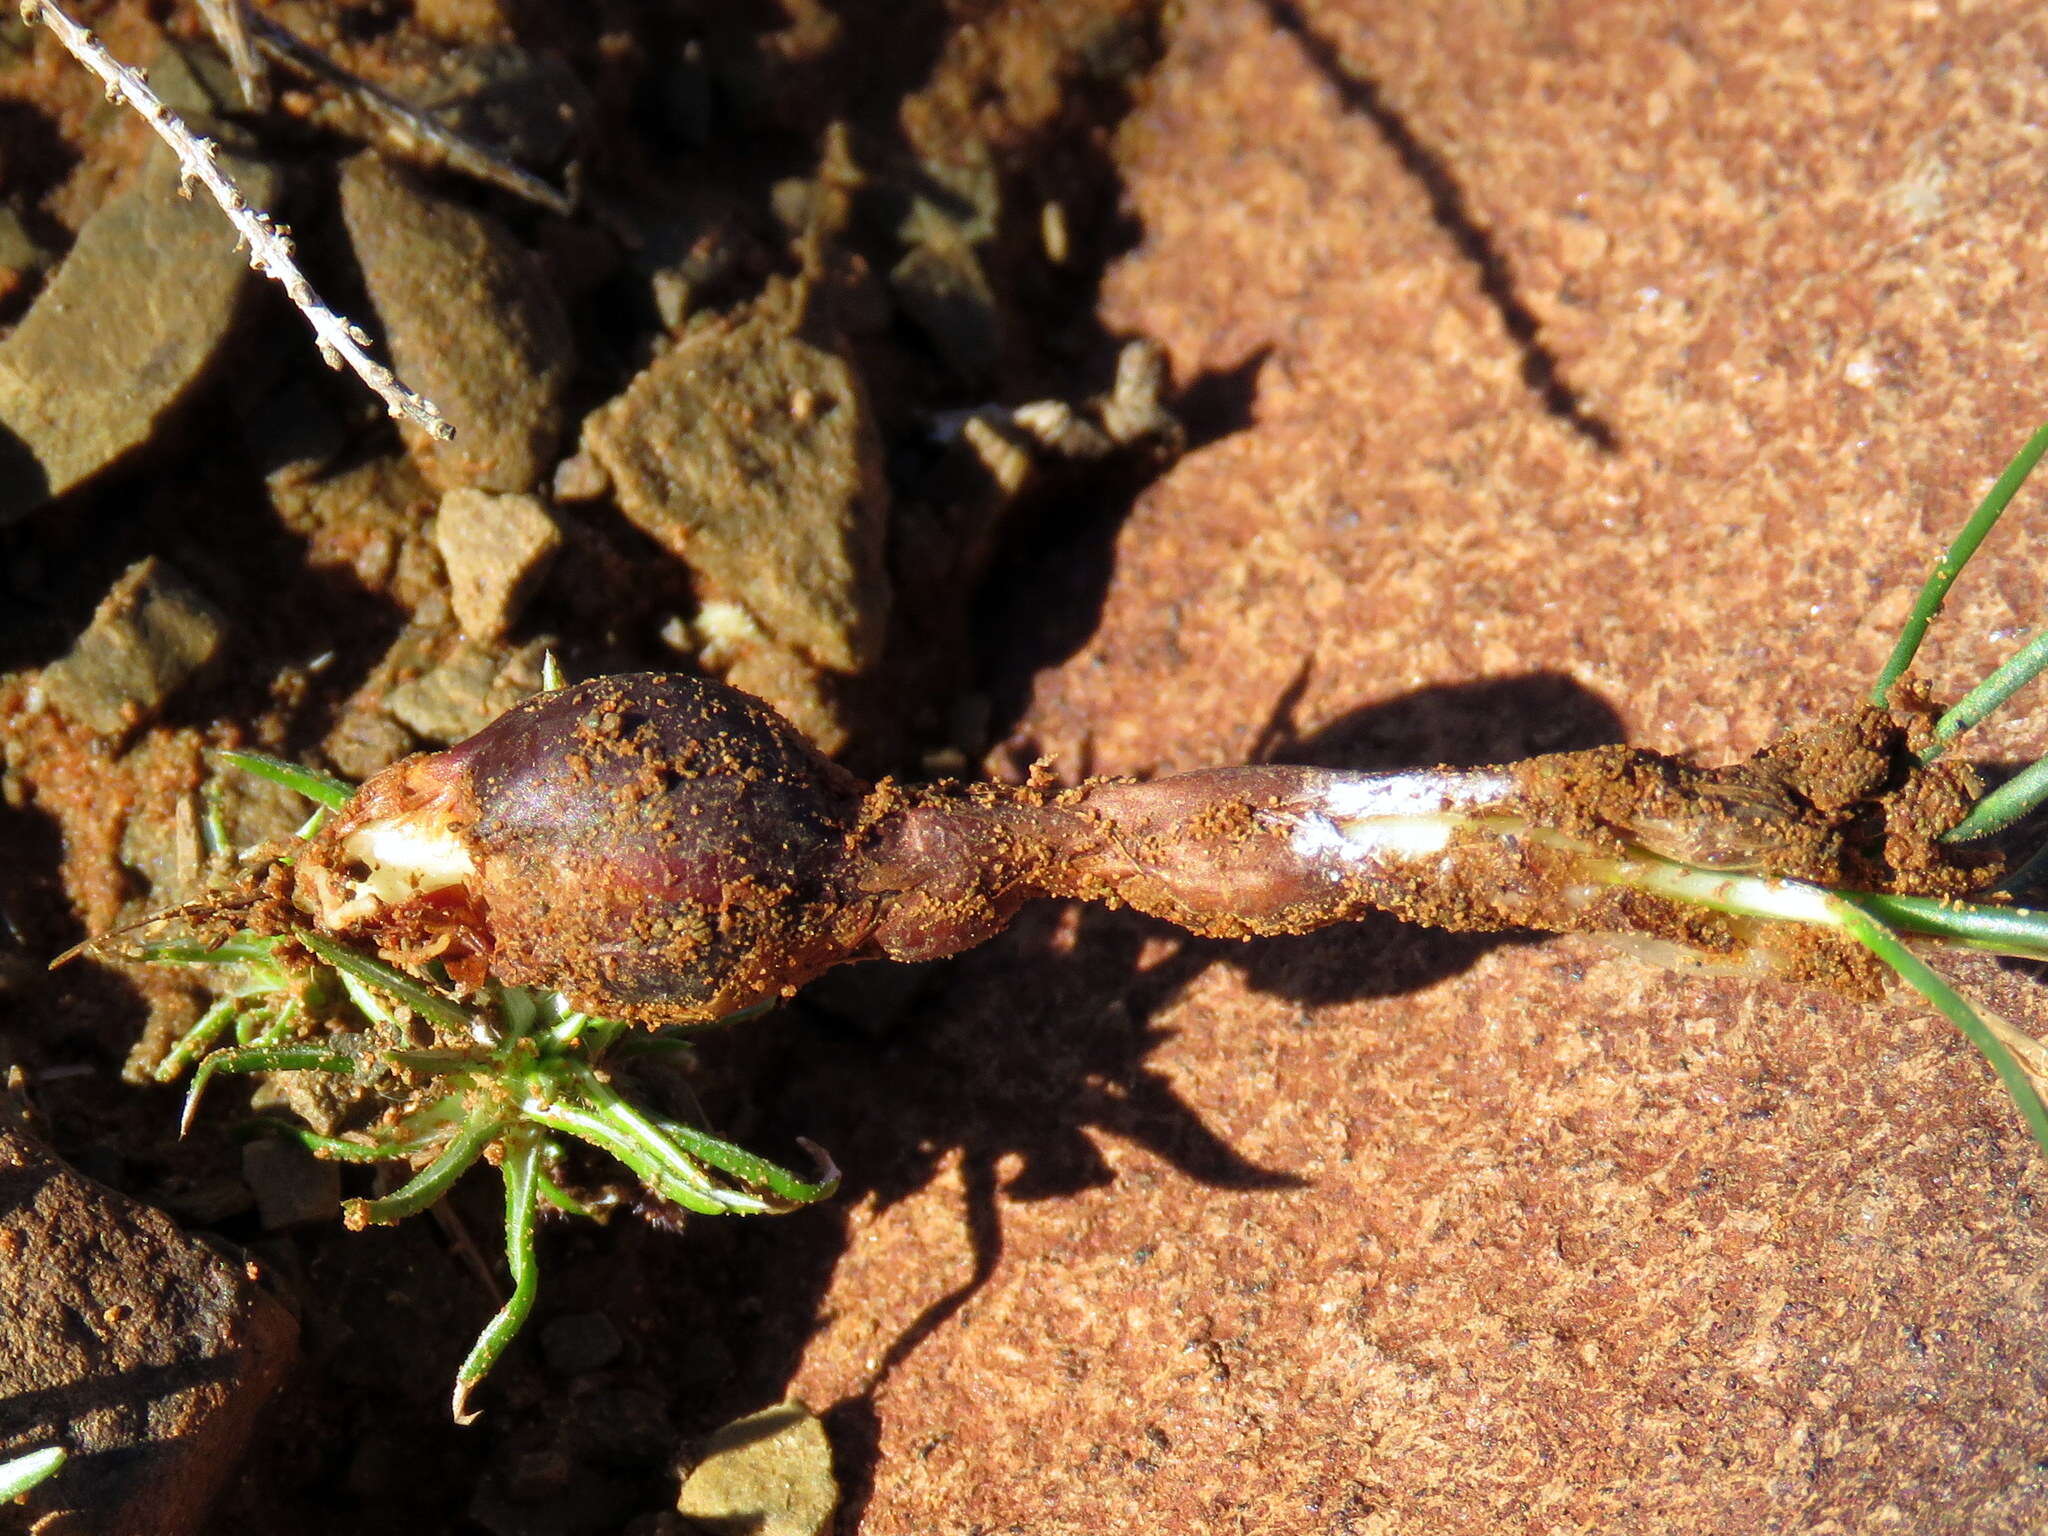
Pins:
x: 122, y: 333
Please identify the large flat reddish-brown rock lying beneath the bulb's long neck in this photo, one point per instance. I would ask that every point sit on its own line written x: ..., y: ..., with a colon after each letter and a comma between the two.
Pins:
x: 1615, y: 376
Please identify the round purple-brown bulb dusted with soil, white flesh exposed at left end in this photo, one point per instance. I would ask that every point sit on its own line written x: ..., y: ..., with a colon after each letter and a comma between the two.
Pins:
x: 656, y: 847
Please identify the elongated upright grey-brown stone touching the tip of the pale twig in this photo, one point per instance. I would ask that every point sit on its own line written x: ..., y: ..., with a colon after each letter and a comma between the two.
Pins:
x: 470, y: 323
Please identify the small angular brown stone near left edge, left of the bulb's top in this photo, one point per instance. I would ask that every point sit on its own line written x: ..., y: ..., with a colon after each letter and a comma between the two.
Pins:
x: 146, y: 640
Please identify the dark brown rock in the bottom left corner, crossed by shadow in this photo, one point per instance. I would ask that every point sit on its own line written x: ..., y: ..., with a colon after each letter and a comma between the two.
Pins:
x: 138, y: 1349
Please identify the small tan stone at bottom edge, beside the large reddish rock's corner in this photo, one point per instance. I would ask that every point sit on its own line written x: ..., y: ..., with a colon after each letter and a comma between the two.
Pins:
x: 767, y: 1474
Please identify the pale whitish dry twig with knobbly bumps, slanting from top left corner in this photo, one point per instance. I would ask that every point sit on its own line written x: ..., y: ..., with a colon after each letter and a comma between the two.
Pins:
x: 269, y: 245
